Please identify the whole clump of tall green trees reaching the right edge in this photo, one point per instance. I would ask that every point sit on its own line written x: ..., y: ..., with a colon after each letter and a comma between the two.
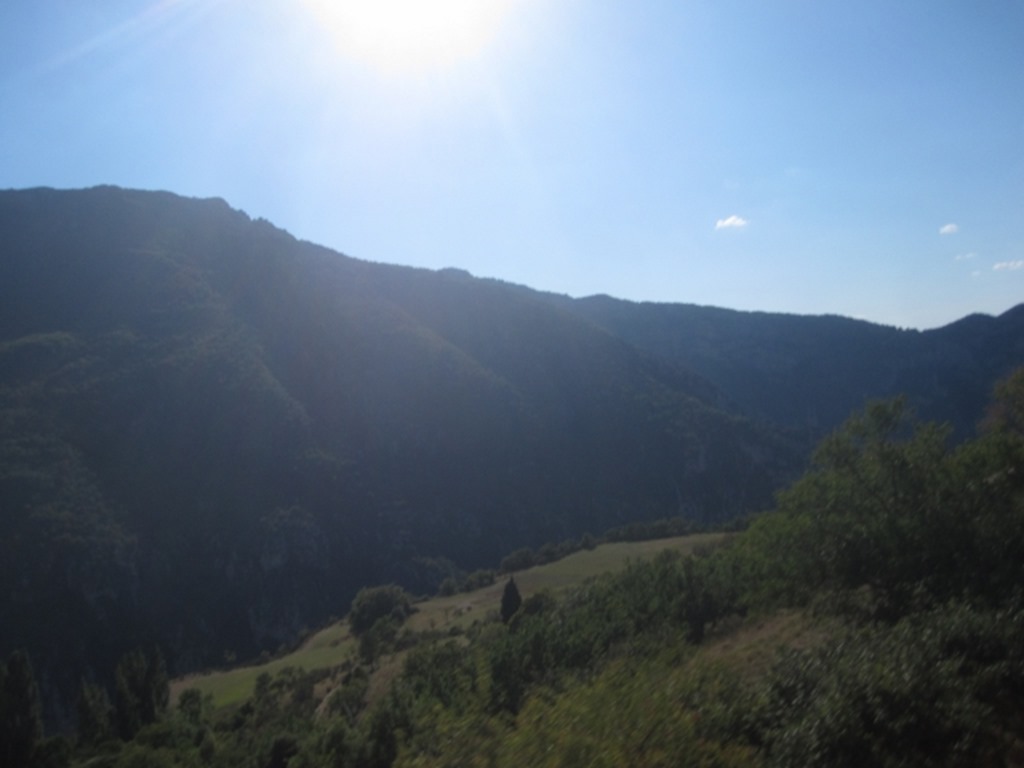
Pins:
x: 891, y: 513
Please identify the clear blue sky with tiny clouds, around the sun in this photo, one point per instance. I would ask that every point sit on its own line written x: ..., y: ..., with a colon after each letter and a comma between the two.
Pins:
x: 862, y: 159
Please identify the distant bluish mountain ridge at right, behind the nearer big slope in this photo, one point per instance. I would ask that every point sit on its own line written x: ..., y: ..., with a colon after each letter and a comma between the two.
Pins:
x: 812, y: 372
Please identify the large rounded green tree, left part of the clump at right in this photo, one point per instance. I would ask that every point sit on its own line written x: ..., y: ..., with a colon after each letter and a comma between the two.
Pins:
x: 873, y: 513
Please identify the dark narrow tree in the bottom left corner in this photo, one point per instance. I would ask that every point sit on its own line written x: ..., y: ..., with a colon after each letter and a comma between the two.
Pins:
x: 21, y: 721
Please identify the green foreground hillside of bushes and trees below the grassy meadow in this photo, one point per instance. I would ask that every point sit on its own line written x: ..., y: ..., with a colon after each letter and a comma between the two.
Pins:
x: 874, y: 618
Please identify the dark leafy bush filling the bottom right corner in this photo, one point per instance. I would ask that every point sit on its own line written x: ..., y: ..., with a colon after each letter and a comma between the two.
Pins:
x: 920, y: 693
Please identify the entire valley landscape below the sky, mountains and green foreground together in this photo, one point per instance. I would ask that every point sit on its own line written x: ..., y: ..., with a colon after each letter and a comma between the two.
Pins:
x: 214, y: 437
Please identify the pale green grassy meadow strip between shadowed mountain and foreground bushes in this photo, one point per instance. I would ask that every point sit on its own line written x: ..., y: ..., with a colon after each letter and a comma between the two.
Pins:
x: 333, y: 646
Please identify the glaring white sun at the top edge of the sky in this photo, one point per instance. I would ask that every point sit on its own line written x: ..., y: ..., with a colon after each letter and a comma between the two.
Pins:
x: 406, y: 36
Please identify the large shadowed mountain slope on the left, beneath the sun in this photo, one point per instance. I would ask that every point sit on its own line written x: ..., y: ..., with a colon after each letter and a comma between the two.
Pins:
x: 215, y: 434
